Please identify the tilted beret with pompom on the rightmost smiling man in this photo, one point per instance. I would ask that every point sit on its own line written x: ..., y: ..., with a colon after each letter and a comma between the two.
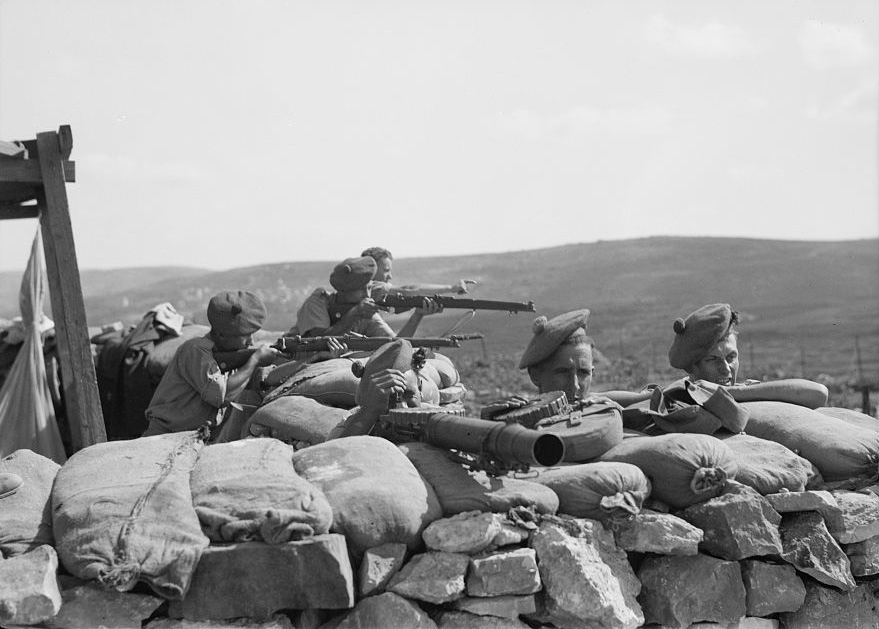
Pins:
x: 697, y: 334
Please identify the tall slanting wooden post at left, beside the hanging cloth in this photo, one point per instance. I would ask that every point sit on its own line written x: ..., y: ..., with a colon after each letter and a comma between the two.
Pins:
x: 79, y: 382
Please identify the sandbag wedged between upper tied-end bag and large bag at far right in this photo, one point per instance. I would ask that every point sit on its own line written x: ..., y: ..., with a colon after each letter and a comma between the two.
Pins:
x: 769, y: 467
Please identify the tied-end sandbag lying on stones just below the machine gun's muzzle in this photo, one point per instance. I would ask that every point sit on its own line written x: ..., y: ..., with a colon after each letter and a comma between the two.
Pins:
x: 603, y: 491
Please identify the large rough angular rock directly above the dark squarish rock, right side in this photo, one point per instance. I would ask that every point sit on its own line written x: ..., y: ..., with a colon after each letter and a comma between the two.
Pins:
x: 737, y: 524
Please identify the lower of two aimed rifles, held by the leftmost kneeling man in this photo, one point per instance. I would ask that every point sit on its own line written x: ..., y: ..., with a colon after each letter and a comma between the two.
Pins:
x: 291, y: 345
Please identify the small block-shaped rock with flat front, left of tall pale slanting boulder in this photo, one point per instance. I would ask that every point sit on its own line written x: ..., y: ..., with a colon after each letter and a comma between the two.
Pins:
x: 504, y: 572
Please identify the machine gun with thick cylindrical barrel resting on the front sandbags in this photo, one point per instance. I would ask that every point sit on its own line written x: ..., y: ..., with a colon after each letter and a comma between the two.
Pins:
x: 495, y: 447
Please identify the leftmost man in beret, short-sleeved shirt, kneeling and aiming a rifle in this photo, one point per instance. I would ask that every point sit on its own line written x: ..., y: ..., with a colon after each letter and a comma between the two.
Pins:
x: 194, y: 391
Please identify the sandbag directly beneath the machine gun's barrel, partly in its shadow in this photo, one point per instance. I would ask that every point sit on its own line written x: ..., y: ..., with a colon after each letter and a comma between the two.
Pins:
x: 459, y: 490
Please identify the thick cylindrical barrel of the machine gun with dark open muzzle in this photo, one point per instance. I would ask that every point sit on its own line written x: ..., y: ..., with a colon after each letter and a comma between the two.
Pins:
x: 511, y: 443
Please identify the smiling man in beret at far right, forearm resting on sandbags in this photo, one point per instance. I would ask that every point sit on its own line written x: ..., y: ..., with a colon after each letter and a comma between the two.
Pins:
x: 706, y: 347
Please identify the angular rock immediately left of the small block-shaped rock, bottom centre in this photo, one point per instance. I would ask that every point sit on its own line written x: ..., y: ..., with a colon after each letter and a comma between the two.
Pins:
x: 434, y: 577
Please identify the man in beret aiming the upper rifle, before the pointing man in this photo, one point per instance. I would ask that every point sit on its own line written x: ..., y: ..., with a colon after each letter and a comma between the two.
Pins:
x: 351, y: 308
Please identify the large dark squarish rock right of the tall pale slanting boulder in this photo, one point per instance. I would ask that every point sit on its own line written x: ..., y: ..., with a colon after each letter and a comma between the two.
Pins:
x: 678, y: 591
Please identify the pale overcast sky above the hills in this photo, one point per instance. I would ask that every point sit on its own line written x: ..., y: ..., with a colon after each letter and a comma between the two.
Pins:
x: 224, y: 133
